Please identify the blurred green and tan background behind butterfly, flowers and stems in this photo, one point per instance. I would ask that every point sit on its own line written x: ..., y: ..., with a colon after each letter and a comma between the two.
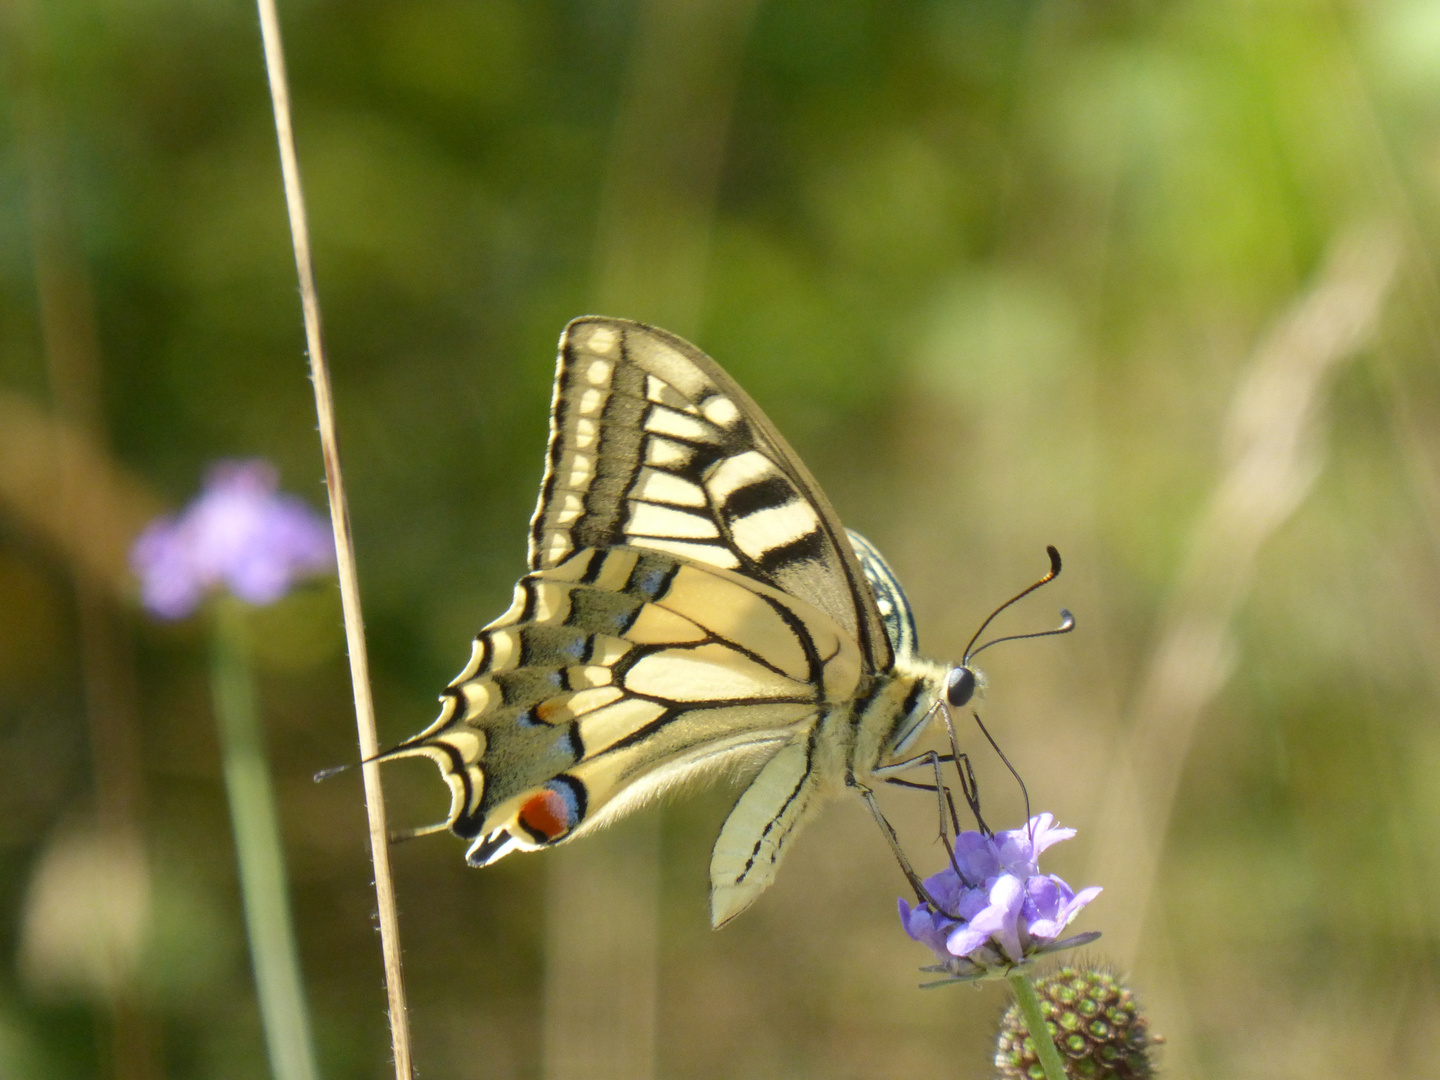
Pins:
x: 1153, y: 283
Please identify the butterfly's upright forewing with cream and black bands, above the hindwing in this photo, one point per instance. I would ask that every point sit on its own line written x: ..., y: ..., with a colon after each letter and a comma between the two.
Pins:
x: 654, y: 446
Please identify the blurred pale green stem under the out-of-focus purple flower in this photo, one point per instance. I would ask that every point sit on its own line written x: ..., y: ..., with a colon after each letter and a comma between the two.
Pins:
x: 258, y: 849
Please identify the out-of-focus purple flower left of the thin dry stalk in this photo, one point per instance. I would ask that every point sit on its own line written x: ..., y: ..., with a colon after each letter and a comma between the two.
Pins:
x: 241, y: 534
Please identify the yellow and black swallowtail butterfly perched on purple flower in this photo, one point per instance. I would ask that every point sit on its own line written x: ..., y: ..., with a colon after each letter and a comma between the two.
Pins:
x: 693, y: 604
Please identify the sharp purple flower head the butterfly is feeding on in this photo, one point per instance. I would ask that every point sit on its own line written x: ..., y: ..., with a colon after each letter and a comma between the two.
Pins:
x: 993, y: 911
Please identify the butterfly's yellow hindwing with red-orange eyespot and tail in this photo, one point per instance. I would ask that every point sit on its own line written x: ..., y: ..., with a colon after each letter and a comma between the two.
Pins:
x: 617, y: 675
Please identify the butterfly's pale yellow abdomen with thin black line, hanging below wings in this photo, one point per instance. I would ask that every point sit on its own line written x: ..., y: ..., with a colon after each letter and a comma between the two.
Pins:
x: 758, y: 832
